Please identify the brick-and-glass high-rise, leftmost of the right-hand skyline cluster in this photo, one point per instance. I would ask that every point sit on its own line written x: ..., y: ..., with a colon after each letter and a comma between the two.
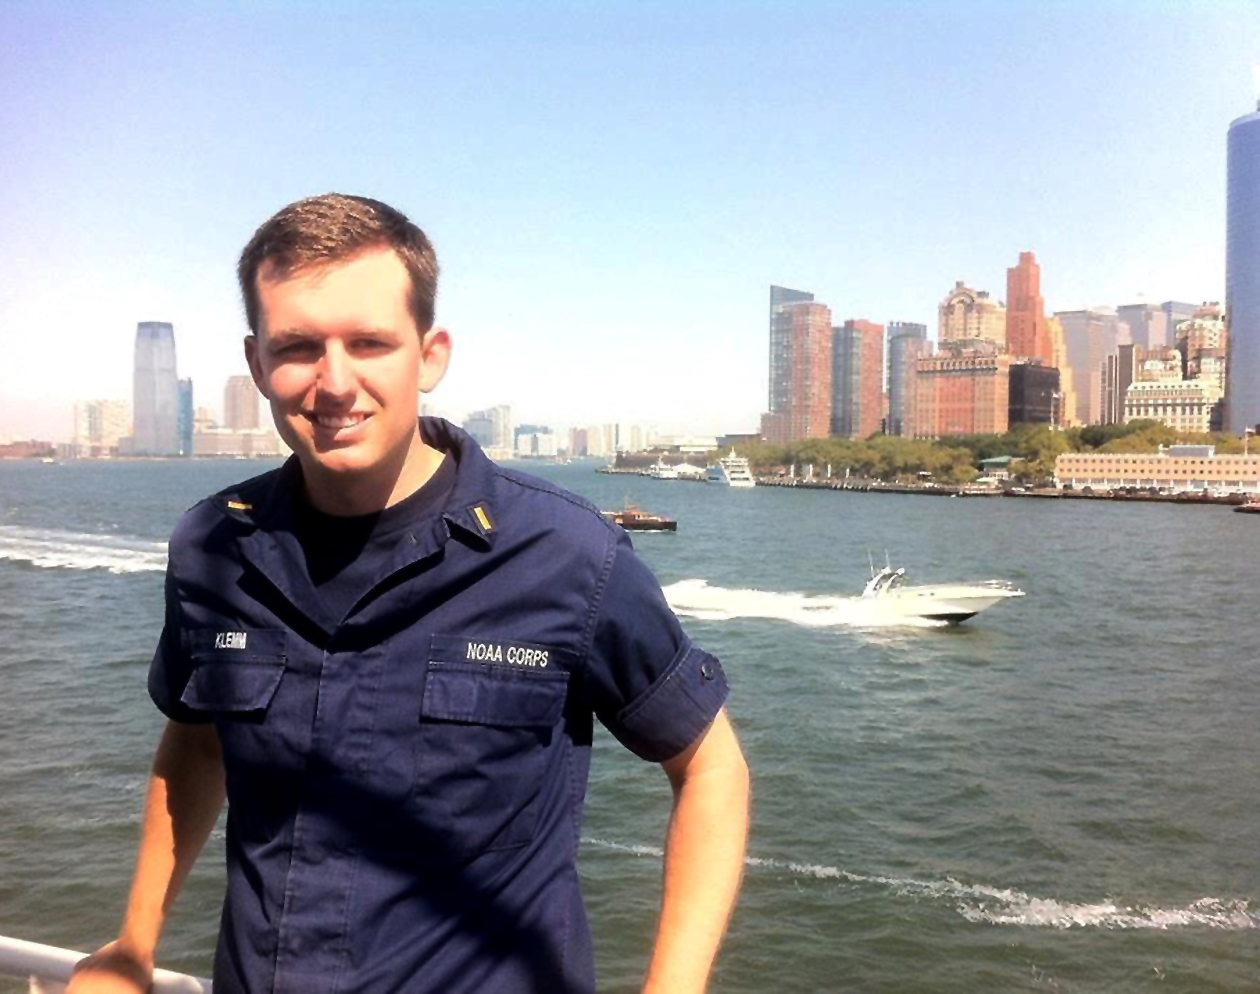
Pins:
x: 801, y: 368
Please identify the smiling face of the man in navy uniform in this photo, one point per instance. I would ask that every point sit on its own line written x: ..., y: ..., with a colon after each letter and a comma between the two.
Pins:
x: 341, y: 361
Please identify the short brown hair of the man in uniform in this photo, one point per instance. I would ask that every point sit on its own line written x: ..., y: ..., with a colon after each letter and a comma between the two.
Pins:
x: 331, y: 229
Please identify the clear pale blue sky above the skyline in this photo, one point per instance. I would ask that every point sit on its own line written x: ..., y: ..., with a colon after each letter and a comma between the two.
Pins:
x: 612, y: 187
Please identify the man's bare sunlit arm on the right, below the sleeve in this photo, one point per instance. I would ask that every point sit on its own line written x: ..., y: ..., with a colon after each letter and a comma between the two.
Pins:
x: 704, y: 860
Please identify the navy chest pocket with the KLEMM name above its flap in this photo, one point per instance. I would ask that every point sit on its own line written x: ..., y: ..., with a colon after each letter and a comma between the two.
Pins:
x: 235, y: 677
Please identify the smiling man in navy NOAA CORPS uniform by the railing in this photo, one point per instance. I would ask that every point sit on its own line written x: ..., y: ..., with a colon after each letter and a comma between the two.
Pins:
x: 387, y: 656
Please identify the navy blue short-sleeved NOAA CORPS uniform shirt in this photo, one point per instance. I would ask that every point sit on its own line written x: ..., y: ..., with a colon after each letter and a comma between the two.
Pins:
x: 406, y: 783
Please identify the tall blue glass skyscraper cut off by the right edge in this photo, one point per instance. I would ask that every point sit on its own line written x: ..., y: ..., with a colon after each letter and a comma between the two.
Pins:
x: 1243, y: 275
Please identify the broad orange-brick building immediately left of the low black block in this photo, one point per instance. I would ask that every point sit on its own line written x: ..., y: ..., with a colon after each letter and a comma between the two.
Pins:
x: 962, y: 391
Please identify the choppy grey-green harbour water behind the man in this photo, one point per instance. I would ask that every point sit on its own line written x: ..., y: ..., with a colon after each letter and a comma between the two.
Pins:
x: 1058, y: 797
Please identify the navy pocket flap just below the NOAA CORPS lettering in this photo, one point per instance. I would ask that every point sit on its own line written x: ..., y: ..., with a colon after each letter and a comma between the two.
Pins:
x: 490, y: 695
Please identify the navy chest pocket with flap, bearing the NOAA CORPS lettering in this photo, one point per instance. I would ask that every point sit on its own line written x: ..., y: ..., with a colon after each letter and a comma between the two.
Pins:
x: 487, y: 731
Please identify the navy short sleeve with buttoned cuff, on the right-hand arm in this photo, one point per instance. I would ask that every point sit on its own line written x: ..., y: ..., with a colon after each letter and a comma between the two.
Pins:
x: 650, y: 685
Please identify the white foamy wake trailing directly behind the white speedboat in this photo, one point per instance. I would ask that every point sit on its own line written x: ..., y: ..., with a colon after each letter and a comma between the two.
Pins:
x: 697, y: 599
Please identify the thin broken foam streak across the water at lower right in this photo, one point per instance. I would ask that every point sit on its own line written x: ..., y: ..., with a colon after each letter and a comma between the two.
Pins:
x: 1007, y: 906
